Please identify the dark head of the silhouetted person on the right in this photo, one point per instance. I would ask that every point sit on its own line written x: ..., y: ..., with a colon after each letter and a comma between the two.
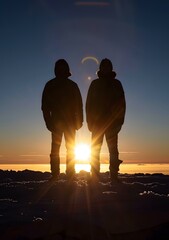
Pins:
x: 105, y: 68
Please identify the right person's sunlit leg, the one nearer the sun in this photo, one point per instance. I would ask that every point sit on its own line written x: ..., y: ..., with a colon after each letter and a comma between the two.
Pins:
x: 97, y: 140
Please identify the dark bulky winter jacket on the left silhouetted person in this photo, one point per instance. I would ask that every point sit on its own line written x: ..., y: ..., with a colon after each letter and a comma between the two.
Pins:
x: 62, y: 104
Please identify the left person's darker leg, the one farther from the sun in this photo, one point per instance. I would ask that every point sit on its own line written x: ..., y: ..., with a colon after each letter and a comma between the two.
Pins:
x: 54, y: 156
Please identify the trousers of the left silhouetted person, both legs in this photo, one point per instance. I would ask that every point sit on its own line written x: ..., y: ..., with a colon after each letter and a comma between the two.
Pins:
x: 69, y: 135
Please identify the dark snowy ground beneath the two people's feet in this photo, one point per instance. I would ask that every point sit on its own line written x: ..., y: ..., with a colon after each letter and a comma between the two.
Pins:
x: 33, y: 208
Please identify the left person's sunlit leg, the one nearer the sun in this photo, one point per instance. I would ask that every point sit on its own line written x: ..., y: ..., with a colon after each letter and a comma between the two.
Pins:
x: 70, y: 158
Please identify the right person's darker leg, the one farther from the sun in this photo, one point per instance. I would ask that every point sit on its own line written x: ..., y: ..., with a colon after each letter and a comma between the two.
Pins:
x: 112, y: 142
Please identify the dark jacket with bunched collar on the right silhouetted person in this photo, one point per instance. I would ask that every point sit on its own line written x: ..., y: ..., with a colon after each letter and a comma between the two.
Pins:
x: 105, y: 103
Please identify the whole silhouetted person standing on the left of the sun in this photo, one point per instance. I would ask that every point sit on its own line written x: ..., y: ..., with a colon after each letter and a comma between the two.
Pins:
x: 63, y: 114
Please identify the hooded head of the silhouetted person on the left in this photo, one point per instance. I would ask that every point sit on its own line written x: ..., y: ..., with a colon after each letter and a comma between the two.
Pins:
x: 62, y: 69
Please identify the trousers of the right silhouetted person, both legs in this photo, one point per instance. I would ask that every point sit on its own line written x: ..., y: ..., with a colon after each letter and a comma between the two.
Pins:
x: 111, y: 135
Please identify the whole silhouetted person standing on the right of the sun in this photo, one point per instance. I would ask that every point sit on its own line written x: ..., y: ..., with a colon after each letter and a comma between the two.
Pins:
x: 105, y: 113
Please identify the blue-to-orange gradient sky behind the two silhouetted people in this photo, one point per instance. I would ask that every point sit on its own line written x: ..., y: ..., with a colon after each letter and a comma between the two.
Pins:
x: 134, y: 34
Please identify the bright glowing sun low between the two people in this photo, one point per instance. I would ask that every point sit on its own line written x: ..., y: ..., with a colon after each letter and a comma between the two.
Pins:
x: 82, y: 152
